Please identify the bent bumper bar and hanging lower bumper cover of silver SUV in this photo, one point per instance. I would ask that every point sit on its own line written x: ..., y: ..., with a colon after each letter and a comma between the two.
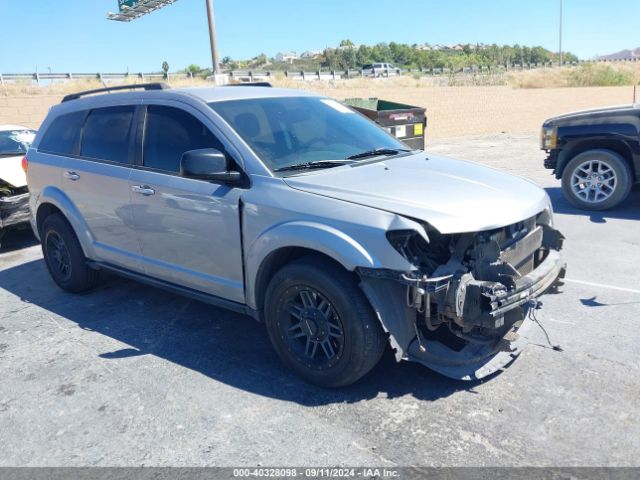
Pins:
x: 475, y: 361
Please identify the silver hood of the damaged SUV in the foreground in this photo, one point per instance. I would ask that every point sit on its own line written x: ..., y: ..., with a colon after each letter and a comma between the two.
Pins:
x: 451, y: 195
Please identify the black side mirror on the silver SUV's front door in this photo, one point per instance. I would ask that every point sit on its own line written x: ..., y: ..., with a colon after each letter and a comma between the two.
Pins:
x: 208, y: 164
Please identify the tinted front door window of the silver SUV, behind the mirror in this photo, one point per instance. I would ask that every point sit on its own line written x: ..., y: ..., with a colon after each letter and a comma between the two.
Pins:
x: 169, y: 132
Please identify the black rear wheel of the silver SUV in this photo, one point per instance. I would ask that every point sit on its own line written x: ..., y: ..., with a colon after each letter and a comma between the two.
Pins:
x: 63, y: 256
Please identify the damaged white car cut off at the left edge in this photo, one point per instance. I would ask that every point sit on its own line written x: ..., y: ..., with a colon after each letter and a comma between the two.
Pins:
x: 14, y: 197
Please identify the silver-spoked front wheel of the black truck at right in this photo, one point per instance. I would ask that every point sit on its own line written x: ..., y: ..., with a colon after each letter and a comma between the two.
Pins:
x: 596, y: 180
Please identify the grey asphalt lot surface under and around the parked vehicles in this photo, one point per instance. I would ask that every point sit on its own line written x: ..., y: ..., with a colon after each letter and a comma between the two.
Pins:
x: 130, y: 375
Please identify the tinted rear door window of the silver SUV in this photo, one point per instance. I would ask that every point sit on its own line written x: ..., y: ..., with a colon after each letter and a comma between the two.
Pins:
x: 107, y: 133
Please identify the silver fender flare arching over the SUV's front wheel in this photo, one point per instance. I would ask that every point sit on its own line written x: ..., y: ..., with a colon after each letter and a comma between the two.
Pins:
x: 303, y: 234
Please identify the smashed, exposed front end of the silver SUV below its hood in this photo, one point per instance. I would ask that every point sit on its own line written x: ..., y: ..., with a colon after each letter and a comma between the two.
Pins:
x: 463, y: 311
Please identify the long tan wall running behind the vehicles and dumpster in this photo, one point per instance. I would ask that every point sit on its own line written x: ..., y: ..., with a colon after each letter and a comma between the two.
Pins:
x: 478, y: 110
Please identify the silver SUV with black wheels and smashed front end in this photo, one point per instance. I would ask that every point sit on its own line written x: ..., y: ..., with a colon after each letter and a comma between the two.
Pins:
x: 302, y: 213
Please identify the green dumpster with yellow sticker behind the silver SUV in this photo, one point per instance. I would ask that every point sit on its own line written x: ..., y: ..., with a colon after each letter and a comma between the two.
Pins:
x: 407, y: 123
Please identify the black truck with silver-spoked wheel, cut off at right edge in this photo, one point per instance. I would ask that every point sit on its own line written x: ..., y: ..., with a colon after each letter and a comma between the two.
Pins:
x: 596, y: 153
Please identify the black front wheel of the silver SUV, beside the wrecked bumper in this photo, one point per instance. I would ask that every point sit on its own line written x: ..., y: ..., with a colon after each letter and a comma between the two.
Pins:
x: 321, y: 324
